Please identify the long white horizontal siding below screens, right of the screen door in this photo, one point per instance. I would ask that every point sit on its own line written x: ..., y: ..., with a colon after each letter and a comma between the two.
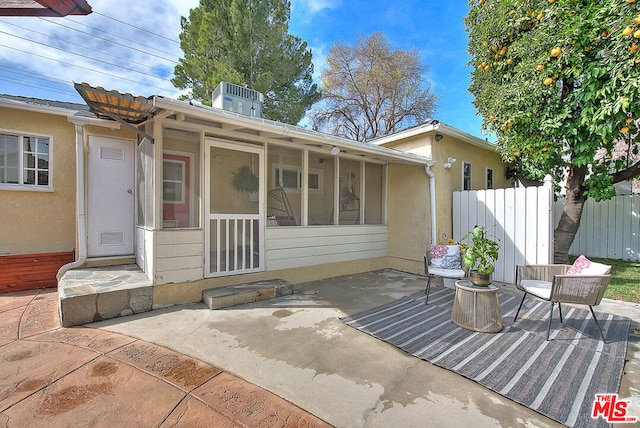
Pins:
x: 293, y: 247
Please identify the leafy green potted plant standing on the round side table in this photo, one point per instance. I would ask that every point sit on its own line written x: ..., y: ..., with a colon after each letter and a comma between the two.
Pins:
x: 480, y: 256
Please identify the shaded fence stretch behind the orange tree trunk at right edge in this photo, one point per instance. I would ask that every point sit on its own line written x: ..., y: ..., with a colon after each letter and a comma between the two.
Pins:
x: 608, y: 229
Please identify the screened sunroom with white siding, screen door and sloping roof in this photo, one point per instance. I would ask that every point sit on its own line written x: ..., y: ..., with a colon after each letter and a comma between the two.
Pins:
x: 221, y: 197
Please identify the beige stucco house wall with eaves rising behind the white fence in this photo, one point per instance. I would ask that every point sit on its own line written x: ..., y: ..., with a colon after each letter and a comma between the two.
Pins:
x: 450, y: 180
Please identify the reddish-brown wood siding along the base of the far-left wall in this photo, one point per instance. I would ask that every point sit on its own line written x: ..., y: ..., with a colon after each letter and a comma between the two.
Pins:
x: 30, y: 271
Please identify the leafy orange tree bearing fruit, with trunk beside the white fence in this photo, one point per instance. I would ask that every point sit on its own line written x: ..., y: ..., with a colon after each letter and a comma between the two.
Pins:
x: 557, y: 82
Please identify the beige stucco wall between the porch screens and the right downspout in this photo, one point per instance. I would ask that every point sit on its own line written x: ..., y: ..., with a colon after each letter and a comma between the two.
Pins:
x: 408, y: 216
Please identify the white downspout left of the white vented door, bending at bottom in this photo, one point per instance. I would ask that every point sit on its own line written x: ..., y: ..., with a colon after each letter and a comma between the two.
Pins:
x: 81, y: 229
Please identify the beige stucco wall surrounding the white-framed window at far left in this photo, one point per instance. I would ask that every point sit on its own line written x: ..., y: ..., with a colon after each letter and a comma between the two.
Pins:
x: 41, y: 221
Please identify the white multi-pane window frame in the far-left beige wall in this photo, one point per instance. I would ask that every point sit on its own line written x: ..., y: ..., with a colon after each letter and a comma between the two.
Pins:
x: 21, y: 185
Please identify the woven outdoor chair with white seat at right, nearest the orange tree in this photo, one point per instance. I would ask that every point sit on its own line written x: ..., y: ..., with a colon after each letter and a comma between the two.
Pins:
x: 582, y: 283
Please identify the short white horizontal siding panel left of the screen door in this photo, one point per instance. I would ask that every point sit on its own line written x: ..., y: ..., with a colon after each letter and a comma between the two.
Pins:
x: 179, y: 256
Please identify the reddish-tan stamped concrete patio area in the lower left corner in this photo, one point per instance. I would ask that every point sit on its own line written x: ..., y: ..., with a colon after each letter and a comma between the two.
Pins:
x: 54, y: 376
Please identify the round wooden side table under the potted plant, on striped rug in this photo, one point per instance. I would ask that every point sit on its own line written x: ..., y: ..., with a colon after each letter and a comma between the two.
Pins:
x: 476, y: 308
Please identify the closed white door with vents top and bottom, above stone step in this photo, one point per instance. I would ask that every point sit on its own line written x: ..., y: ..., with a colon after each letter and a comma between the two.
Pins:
x: 110, y: 197
